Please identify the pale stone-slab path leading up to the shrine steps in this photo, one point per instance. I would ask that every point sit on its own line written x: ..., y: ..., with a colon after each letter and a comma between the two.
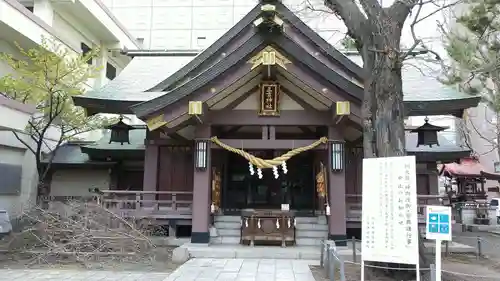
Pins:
x: 200, y: 269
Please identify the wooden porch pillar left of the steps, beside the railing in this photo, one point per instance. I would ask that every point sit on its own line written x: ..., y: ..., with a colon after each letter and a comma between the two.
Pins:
x: 201, y: 193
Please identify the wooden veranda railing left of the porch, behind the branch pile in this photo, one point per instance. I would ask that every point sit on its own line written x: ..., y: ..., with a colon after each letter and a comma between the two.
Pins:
x: 151, y: 204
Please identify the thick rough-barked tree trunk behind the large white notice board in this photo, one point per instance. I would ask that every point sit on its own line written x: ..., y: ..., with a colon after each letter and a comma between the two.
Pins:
x: 383, y: 111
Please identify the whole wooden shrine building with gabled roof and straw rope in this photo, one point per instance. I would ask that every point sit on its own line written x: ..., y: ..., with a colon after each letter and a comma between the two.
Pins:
x: 259, y: 133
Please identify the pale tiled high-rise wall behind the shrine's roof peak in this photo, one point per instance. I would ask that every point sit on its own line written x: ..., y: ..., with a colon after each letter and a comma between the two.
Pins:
x: 195, y: 24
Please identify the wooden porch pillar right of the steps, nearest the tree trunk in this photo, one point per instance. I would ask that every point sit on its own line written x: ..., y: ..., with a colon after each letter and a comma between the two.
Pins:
x: 336, y: 195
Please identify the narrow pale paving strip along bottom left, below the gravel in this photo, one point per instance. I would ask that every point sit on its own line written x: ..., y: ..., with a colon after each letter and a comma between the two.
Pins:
x: 77, y: 275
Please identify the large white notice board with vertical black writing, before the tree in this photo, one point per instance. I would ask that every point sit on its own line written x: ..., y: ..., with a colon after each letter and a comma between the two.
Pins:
x: 389, y: 210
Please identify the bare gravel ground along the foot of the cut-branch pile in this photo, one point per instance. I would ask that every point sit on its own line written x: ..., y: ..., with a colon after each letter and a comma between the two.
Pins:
x: 159, y: 260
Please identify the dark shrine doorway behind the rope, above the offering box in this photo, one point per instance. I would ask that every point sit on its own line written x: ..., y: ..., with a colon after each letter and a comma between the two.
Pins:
x: 241, y: 190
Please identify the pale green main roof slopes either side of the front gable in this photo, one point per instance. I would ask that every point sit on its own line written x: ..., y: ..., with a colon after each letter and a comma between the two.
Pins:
x: 421, y: 89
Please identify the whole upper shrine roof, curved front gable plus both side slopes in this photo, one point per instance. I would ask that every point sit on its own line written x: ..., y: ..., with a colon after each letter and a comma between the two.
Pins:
x: 157, y: 79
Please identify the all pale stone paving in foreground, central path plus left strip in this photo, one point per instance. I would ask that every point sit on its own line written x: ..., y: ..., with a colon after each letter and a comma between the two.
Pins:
x: 198, y: 269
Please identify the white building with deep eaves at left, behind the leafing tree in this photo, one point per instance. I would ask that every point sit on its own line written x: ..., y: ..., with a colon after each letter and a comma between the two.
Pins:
x: 79, y: 25
